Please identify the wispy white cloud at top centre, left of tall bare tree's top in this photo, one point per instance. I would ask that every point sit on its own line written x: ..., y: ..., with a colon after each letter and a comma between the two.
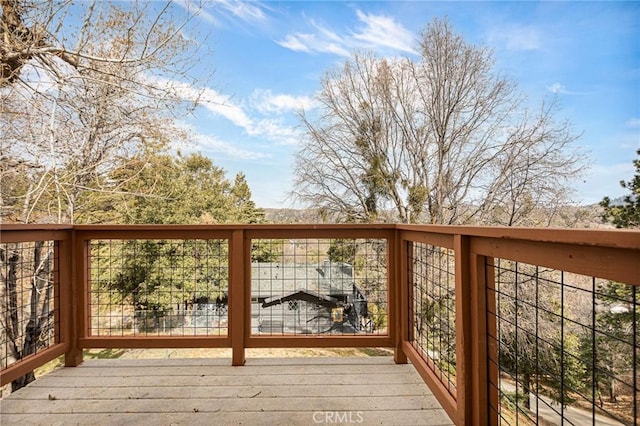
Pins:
x: 378, y: 32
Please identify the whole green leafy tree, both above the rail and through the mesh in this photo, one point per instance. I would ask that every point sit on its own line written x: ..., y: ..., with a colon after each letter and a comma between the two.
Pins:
x: 155, y: 276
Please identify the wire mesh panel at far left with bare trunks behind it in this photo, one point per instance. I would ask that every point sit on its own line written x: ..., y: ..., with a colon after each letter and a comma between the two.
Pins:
x: 29, y: 307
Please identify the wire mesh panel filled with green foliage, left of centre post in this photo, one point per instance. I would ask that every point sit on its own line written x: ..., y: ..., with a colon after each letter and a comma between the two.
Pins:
x: 159, y: 287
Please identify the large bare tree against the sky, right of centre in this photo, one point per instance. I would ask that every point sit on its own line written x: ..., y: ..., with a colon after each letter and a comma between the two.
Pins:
x: 442, y: 140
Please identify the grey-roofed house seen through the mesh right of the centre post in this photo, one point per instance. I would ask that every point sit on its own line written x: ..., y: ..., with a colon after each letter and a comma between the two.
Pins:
x: 306, y: 299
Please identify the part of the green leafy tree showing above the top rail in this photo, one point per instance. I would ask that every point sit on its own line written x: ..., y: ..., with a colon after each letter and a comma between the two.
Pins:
x: 186, y: 189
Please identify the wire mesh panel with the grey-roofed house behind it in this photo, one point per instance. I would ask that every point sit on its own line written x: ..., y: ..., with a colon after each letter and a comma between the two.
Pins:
x: 319, y: 286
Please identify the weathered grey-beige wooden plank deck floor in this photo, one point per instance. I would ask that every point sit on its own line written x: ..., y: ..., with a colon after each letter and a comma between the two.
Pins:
x: 292, y: 391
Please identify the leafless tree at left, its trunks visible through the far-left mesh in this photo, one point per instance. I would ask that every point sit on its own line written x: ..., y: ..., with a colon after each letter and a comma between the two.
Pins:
x: 78, y: 99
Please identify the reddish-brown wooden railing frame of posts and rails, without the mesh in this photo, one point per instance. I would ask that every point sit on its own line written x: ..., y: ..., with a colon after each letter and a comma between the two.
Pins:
x: 607, y: 254
